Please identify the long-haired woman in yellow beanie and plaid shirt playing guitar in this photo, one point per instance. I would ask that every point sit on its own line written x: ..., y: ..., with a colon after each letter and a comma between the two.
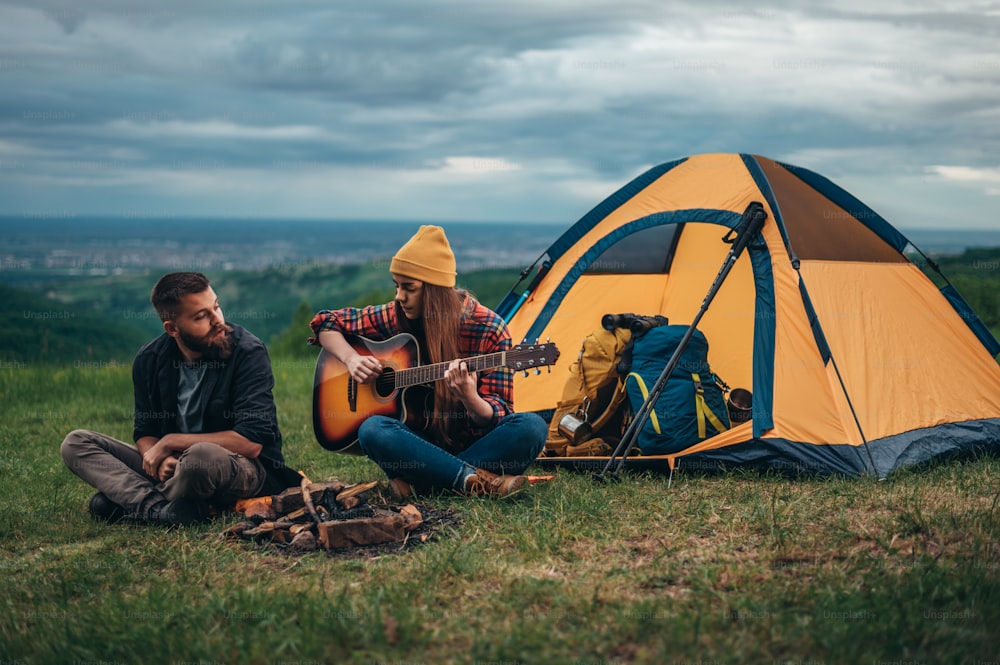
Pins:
x: 467, y: 437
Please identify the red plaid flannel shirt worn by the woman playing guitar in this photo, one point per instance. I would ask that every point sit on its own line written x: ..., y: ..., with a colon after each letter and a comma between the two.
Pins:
x: 482, y: 331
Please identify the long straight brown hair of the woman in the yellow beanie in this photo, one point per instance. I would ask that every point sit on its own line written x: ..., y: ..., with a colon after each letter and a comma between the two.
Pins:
x: 444, y: 307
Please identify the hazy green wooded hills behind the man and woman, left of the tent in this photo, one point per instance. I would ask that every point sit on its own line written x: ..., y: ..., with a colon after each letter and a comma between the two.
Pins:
x: 110, y: 317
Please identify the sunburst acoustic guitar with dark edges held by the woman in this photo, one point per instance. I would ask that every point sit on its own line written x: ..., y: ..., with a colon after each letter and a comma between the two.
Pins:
x: 404, y: 389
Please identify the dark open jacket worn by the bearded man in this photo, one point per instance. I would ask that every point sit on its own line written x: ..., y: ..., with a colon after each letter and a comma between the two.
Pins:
x: 236, y: 396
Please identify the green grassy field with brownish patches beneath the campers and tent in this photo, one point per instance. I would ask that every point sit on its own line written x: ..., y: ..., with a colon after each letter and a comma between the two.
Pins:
x: 740, y: 568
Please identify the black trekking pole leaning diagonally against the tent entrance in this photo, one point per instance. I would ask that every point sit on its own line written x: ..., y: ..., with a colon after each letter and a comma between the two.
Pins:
x: 749, y: 226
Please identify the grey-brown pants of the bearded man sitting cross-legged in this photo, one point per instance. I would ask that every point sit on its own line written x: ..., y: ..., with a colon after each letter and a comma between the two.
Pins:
x: 205, y: 472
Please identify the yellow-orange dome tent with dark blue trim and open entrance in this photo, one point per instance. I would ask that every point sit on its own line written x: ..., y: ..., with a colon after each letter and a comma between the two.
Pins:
x: 858, y: 363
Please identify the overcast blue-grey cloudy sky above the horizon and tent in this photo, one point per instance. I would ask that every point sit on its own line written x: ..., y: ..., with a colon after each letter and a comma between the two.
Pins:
x: 522, y: 110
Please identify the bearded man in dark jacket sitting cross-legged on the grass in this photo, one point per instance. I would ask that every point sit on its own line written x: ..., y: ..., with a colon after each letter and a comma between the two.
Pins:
x: 206, y: 429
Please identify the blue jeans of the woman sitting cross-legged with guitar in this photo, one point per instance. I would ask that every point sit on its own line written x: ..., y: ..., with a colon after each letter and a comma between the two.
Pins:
x: 509, y: 448
